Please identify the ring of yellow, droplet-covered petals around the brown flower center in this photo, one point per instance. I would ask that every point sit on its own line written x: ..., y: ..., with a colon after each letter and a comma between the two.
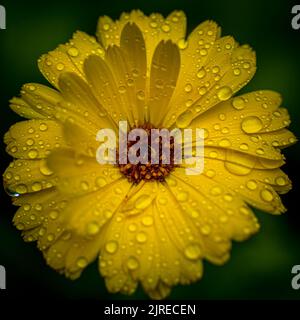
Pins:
x: 155, y: 232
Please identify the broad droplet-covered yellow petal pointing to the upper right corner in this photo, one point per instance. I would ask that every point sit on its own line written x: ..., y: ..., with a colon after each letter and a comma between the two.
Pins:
x: 220, y: 74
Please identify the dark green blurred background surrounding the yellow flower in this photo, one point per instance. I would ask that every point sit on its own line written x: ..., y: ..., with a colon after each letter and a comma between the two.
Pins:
x: 260, y: 268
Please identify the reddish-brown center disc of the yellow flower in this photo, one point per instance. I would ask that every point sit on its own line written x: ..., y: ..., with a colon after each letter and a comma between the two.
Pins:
x: 145, y: 169
